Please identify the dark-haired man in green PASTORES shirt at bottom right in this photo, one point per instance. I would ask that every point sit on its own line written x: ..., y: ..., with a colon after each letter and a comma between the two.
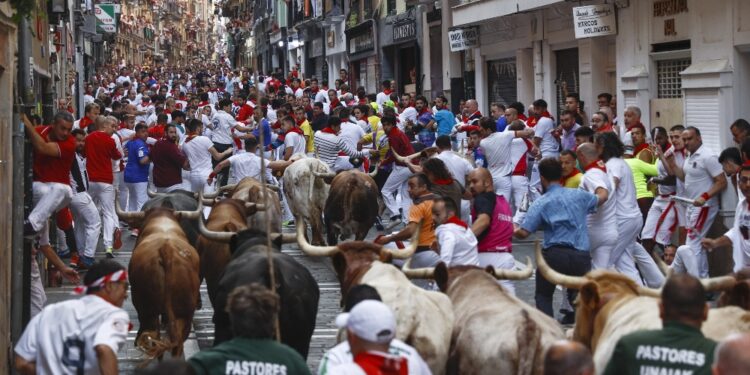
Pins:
x: 683, y: 309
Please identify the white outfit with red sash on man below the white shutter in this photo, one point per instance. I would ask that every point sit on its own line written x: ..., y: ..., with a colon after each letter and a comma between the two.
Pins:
x: 700, y: 169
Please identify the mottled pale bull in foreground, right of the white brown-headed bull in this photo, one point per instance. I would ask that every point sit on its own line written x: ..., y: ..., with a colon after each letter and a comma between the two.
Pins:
x: 475, y: 349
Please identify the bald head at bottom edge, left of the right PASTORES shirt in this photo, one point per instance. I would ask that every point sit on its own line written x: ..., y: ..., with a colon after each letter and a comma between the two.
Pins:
x: 568, y: 358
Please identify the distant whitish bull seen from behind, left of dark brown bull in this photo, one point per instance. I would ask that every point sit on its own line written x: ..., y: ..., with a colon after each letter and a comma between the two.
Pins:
x: 306, y: 191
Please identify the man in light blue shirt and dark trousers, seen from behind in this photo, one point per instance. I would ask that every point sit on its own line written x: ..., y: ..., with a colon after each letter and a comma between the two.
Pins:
x: 562, y: 214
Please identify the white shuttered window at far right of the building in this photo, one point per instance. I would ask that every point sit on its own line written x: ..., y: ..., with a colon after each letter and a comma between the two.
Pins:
x: 702, y: 111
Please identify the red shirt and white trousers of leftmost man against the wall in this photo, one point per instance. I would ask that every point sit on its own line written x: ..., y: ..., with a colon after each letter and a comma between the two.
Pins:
x: 51, y: 187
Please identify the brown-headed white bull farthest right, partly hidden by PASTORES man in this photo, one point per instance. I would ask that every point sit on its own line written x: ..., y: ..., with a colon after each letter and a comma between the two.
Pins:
x: 611, y: 305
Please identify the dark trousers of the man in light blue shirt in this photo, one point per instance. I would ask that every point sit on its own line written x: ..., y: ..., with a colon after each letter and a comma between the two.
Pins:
x: 564, y: 260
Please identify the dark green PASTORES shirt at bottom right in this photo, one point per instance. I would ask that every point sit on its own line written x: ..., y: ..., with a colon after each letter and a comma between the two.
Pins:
x: 676, y: 349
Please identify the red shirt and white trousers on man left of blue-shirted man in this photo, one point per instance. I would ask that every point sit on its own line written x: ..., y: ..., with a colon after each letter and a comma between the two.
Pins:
x: 101, y: 150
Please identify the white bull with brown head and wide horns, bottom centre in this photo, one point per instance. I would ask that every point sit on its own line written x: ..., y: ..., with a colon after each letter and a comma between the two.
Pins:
x: 424, y: 319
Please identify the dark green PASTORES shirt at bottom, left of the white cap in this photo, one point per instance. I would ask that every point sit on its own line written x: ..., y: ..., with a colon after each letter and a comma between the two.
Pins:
x: 243, y: 356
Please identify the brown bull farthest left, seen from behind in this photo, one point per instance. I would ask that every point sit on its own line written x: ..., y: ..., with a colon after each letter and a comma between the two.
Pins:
x: 164, y: 281
